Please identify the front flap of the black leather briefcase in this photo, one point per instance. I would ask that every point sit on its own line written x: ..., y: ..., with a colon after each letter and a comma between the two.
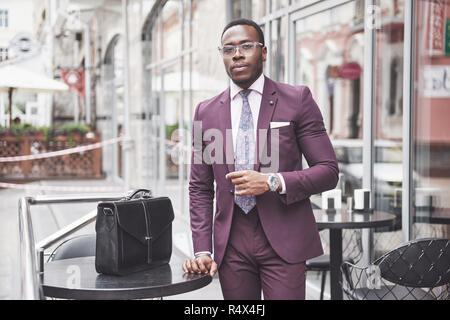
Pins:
x: 131, y: 217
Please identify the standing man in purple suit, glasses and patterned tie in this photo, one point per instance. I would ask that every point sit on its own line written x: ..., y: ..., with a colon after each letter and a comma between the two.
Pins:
x: 263, y: 229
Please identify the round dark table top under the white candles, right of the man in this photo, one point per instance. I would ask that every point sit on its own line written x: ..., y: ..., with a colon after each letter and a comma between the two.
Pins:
x: 344, y: 219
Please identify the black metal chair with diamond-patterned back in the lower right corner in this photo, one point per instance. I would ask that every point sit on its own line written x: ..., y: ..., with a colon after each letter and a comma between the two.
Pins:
x: 417, y: 270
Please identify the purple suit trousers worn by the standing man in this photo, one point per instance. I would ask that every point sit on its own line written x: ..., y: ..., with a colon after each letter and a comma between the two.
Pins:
x: 251, y: 265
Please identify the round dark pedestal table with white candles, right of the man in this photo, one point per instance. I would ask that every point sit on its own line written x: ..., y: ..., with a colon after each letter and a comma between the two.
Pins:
x: 340, y: 219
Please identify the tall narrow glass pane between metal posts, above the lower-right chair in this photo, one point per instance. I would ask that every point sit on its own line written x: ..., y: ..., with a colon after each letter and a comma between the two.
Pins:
x: 388, y: 120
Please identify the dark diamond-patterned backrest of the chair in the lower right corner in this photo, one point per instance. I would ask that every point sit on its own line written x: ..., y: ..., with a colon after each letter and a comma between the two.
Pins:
x: 423, y: 263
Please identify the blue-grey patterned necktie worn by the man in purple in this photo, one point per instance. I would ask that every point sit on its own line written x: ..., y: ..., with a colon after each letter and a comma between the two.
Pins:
x: 245, y: 149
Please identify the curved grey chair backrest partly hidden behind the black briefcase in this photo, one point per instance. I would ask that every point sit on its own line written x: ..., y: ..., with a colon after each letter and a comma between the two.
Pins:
x: 80, y: 246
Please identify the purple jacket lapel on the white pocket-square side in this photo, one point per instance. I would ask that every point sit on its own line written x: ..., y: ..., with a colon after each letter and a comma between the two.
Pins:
x: 268, y: 104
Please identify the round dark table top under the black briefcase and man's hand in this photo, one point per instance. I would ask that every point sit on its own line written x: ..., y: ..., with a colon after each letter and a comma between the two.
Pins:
x: 77, y: 279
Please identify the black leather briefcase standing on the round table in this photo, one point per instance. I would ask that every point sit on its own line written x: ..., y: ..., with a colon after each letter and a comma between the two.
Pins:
x: 133, y: 234
